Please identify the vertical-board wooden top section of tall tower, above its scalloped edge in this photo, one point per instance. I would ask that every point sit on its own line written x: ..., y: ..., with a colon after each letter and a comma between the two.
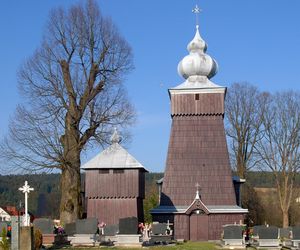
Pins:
x: 186, y: 104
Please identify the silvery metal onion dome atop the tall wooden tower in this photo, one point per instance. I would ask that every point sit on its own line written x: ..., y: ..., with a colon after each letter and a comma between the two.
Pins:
x: 197, y: 63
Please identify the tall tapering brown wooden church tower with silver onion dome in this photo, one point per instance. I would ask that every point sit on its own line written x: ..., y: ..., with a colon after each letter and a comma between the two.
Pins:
x: 197, y: 194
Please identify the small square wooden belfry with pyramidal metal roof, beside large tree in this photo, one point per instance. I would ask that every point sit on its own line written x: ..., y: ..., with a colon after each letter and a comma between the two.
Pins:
x: 114, y: 185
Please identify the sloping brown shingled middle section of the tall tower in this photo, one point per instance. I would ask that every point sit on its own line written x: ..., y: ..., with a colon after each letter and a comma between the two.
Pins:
x: 197, y: 153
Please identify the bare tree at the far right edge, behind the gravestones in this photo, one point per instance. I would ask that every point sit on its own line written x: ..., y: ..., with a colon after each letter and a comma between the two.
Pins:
x: 279, y: 149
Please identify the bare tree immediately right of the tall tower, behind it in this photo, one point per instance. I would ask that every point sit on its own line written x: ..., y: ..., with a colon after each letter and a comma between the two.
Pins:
x: 244, y: 114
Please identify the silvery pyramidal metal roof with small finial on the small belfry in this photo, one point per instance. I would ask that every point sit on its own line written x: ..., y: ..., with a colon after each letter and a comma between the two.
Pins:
x: 114, y: 157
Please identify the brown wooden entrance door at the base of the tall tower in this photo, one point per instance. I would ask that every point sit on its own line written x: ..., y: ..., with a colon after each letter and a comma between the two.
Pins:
x: 198, y: 226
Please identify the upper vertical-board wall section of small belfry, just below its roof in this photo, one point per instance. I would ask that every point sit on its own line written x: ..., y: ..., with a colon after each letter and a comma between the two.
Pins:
x: 129, y: 184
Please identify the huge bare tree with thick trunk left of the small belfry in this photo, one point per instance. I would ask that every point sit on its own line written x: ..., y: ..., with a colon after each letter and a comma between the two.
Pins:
x: 74, y: 96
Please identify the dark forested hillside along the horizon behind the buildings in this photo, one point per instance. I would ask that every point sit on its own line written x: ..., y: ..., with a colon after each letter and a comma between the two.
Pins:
x: 44, y: 200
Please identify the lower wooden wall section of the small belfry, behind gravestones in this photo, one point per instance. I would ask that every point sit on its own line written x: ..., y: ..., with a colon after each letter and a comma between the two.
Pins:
x: 111, y: 210
